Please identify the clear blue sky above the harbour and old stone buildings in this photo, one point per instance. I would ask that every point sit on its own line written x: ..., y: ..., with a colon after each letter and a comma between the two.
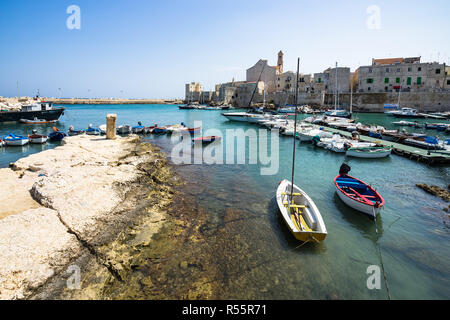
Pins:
x: 151, y: 49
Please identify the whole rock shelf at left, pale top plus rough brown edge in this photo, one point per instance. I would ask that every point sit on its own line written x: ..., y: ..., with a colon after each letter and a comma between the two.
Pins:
x: 79, y: 198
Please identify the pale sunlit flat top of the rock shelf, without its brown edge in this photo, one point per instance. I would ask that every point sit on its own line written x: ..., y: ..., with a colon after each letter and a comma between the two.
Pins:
x: 75, y: 188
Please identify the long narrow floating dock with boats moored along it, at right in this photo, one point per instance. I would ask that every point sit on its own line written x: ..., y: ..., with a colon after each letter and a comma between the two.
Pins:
x: 431, y: 157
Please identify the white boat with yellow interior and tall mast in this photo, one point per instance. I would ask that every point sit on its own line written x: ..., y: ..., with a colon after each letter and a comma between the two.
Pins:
x: 300, y: 213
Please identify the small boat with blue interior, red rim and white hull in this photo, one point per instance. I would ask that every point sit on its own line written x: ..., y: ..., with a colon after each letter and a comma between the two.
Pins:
x: 358, y: 195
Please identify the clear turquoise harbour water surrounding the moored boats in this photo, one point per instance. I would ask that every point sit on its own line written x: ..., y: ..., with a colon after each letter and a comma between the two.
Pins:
x: 413, y: 228
